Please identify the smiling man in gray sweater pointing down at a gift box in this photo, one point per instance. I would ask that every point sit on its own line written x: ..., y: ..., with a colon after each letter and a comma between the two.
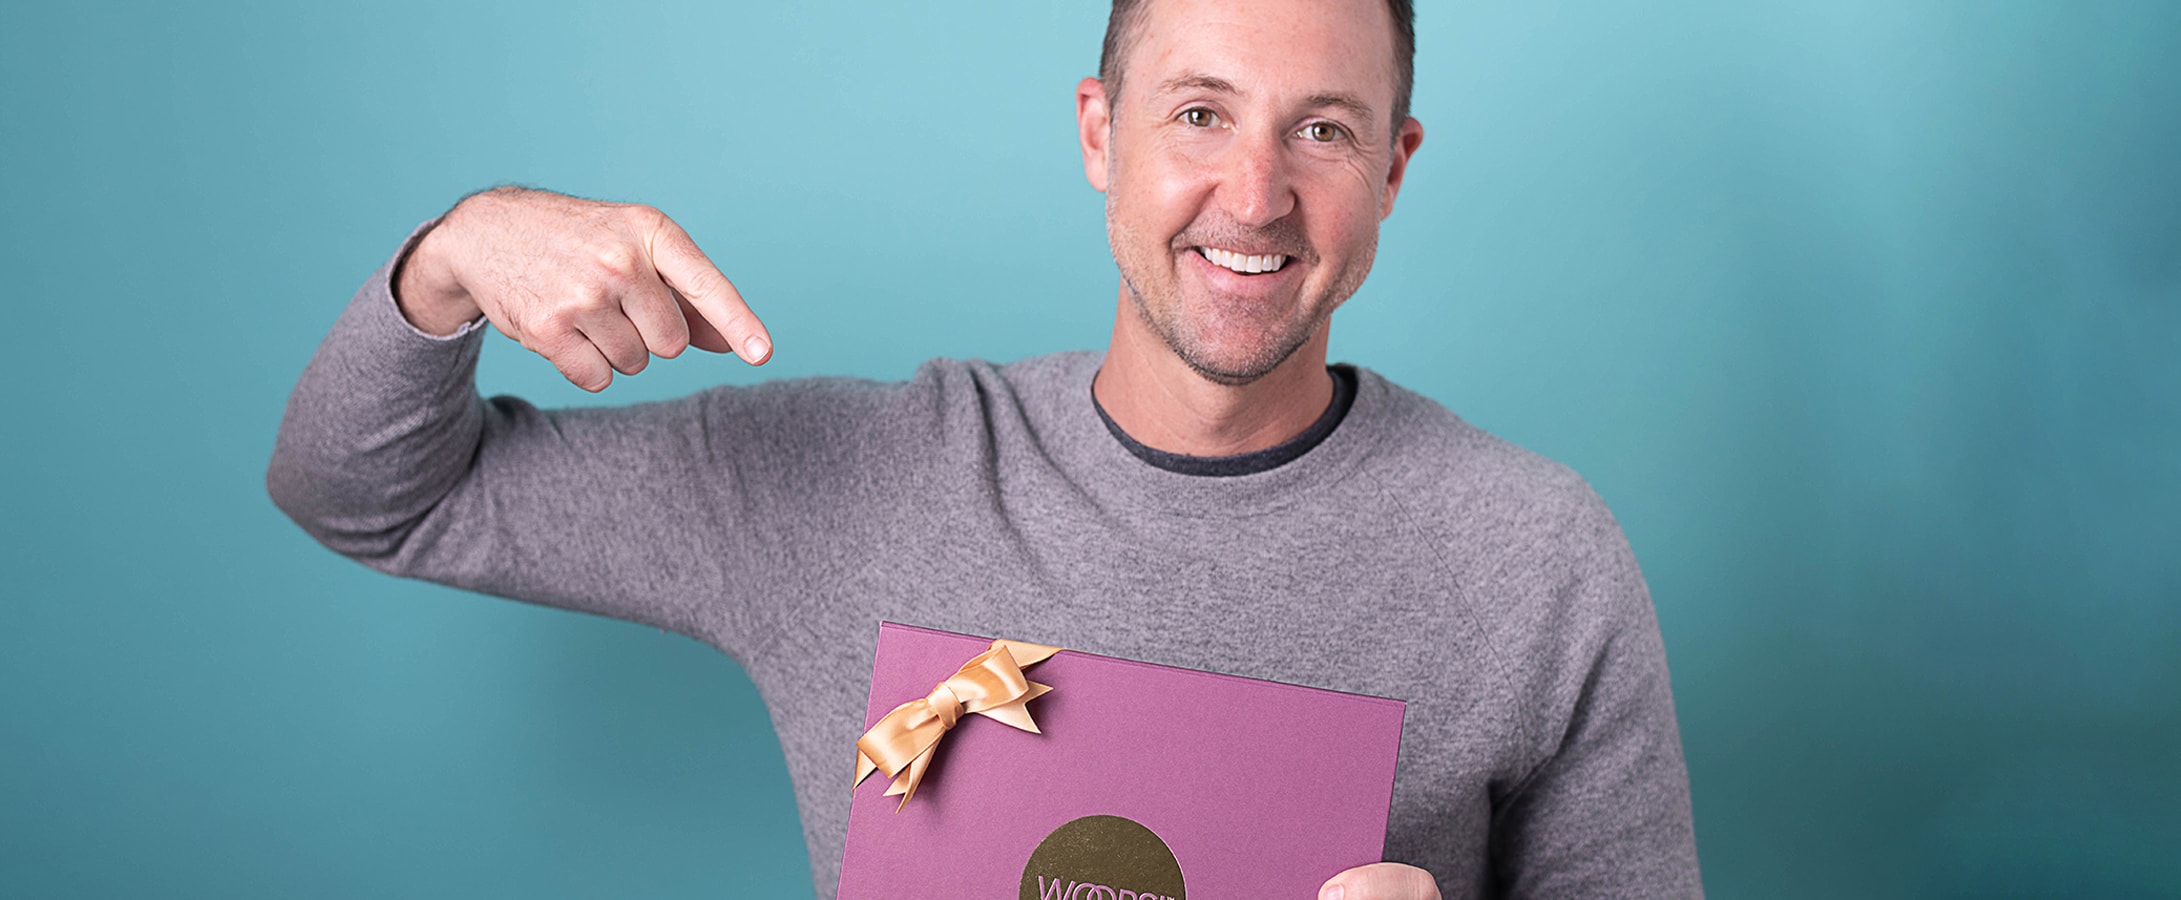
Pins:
x: 1205, y: 494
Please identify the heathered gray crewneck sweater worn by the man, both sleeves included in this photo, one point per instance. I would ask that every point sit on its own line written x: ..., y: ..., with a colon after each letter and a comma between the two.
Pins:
x: 1408, y: 555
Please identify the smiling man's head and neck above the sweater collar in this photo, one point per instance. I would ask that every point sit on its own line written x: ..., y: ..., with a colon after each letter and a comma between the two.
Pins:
x: 1246, y: 160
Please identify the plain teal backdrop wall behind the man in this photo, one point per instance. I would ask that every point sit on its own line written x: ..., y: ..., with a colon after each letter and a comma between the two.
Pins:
x: 1861, y: 315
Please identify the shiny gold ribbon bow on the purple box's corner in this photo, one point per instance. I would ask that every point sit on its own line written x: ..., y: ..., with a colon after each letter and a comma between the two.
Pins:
x: 989, y: 685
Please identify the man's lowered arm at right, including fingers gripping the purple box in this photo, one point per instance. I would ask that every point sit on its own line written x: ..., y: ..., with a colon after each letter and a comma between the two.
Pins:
x: 1604, y: 807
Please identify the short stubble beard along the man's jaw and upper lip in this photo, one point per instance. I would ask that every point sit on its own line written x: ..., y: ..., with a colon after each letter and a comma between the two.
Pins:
x: 1174, y: 330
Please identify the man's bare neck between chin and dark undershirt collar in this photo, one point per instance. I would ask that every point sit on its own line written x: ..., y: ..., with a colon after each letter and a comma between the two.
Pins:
x: 1170, y: 406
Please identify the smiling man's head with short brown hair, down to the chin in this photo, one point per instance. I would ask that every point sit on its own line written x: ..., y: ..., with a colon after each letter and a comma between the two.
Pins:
x: 1246, y: 167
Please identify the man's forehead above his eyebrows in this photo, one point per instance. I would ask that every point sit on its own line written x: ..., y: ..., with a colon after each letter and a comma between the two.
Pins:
x: 1305, y: 51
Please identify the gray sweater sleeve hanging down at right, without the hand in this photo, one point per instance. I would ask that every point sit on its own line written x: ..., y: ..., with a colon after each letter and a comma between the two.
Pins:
x: 1606, y: 812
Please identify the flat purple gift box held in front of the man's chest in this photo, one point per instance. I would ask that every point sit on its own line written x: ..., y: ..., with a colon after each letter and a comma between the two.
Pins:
x: 1144, y: 783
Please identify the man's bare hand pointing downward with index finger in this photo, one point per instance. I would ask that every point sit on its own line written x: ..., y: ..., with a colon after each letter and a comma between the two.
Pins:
x: 592, y: 287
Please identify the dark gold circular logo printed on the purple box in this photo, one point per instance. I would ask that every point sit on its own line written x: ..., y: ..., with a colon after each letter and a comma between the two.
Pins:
x: 1102, y: 858
